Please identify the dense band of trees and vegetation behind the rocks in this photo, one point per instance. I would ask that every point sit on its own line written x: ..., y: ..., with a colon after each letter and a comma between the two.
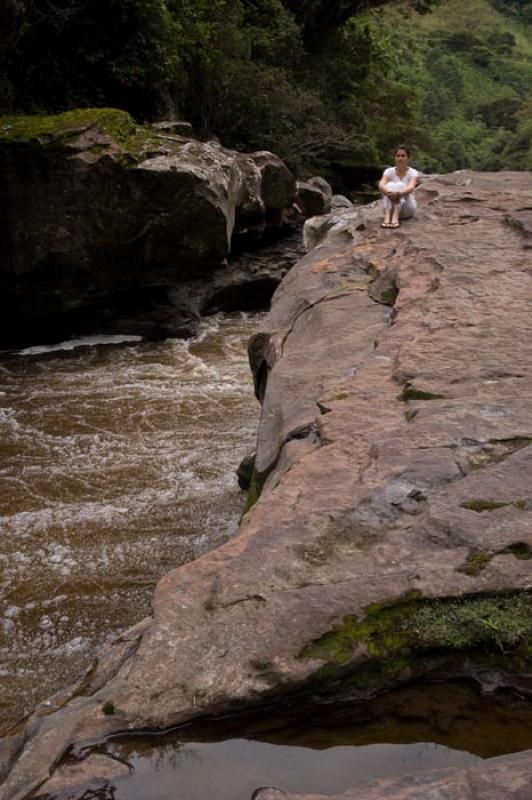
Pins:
x: 455, y: 82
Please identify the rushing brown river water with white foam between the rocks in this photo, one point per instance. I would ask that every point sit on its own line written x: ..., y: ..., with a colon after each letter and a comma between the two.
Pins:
x: 117, y: 463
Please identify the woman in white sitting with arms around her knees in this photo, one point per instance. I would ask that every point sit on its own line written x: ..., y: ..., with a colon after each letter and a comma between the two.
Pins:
x: 397, y: 185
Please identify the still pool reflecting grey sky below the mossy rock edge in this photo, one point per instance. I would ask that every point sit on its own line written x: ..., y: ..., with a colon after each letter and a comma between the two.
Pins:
x: 322, y: 751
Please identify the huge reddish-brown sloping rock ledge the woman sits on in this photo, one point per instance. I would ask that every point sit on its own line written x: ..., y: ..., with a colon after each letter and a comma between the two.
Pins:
x: 393, y: 530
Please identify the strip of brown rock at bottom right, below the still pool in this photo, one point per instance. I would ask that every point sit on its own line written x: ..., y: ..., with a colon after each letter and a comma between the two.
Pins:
x: 507, y: 778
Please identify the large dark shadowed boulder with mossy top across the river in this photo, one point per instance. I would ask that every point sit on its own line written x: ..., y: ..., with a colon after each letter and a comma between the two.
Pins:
x: 104, y: 221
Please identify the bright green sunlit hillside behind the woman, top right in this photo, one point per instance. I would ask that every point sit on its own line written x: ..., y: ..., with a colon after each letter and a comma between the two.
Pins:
x: 473, y: 84
